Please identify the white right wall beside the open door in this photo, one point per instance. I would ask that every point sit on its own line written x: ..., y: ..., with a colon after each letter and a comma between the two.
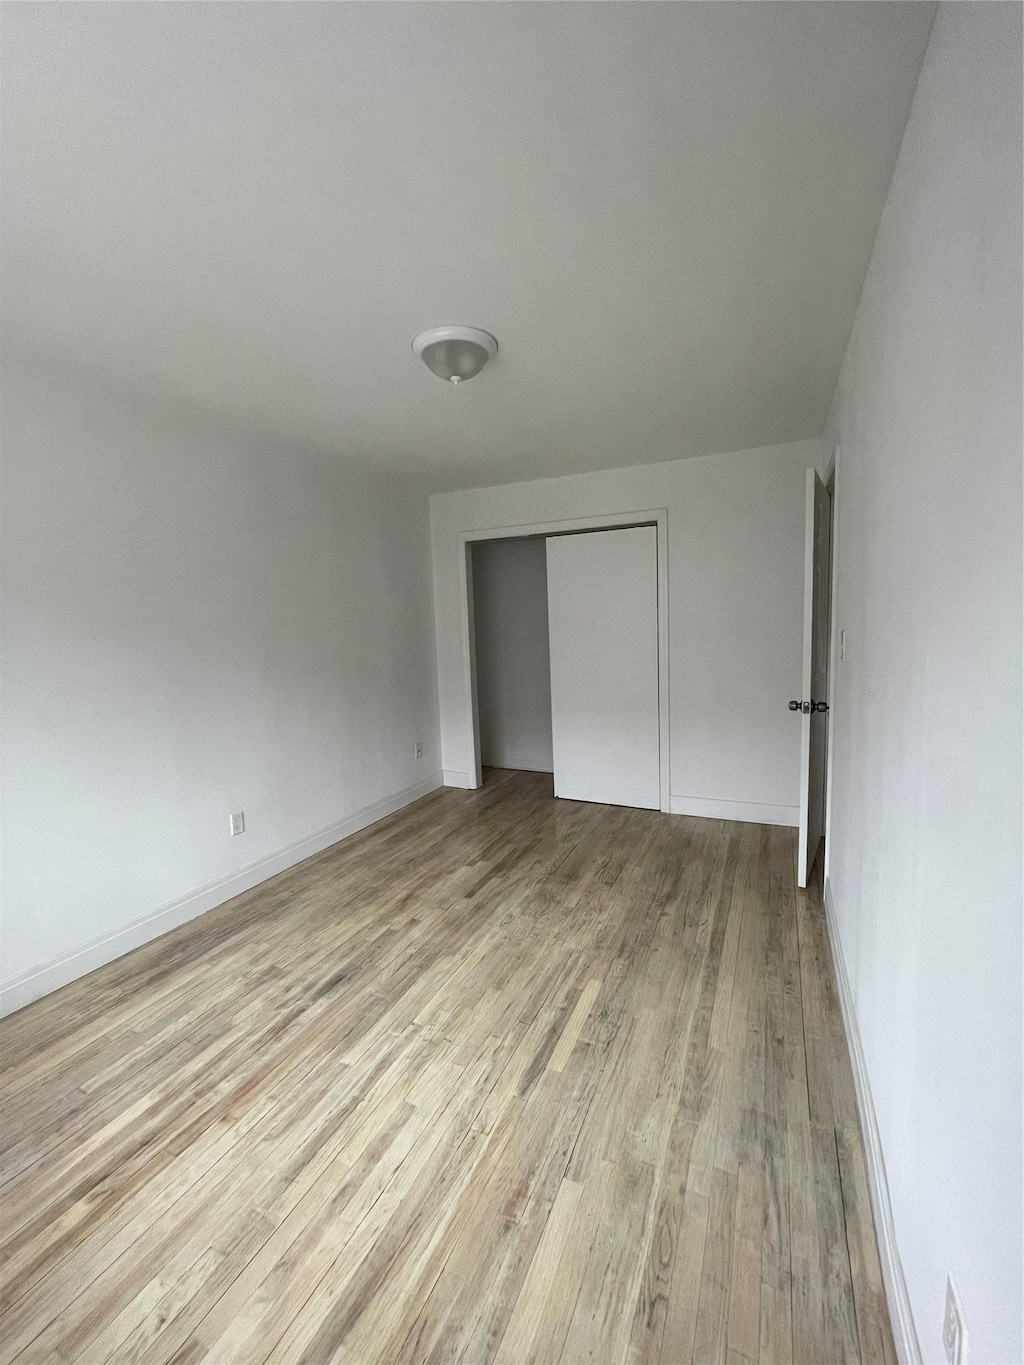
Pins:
x: 925, y: 865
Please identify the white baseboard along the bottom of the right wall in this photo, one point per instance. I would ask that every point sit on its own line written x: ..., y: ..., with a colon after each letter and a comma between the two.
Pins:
x: 900, y: 1314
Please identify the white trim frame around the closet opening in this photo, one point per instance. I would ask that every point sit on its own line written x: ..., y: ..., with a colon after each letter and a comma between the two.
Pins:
x: 537, y: 530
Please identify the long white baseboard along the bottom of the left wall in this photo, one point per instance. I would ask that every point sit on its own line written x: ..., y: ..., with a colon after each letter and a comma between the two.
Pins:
x: 69, y: 967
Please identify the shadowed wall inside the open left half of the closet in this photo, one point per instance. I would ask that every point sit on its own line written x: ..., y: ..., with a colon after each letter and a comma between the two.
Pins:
x: 514, y: 680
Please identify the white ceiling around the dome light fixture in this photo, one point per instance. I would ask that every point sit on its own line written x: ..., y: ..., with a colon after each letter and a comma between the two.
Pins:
x: 664, y: 212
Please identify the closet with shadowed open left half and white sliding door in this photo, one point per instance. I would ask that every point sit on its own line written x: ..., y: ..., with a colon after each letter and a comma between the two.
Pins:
x: 567, y: 661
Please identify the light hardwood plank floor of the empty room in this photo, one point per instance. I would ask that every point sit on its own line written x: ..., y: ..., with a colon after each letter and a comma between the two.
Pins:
x: 502, y: 1079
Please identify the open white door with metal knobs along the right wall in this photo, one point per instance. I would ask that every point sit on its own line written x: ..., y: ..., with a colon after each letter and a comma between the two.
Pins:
x: 816, y: 676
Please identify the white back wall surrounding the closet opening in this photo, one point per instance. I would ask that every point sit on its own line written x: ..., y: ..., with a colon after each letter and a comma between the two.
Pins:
x: 735, y: 614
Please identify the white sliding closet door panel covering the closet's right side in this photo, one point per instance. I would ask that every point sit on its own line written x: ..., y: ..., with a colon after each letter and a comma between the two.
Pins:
x: 603, y: 620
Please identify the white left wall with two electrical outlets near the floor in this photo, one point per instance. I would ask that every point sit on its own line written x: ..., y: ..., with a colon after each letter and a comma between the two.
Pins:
x: 193, y: 626
